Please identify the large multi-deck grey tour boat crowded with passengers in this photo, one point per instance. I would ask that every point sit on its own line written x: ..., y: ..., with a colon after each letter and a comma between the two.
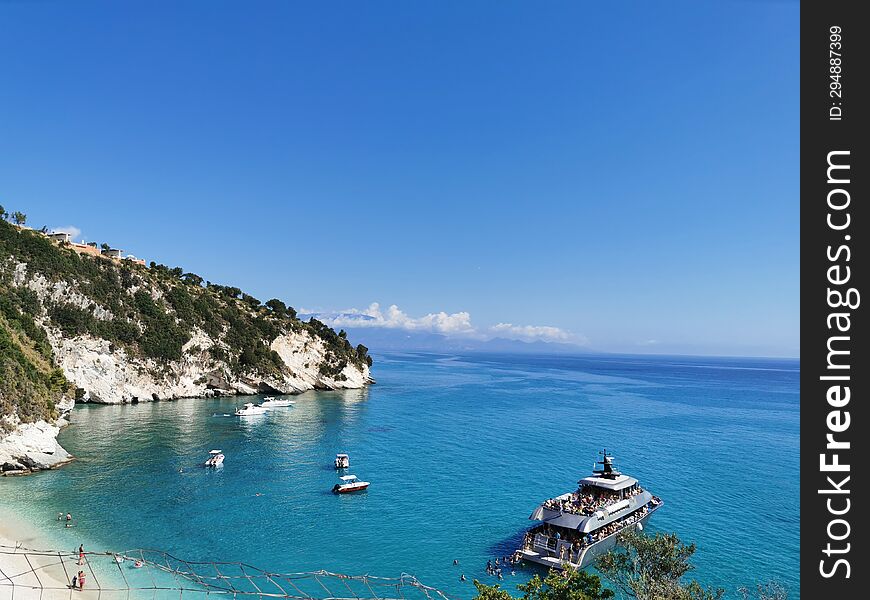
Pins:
x: 579, y: 526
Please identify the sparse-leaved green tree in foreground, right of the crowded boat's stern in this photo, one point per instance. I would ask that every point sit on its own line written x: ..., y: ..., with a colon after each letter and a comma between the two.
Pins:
x: 651, y: 568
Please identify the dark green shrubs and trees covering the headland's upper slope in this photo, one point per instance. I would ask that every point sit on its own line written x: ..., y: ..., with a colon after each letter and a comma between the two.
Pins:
x: 150, y: 312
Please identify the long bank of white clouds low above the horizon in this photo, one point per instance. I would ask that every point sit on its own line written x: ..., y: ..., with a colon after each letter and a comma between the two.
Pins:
x: 456, y: 324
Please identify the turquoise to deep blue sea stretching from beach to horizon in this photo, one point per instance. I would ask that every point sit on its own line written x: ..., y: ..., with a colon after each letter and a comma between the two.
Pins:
x: 459, y: 450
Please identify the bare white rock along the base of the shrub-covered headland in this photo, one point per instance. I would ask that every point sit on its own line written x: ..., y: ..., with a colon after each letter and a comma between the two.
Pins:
x: 107, y: 375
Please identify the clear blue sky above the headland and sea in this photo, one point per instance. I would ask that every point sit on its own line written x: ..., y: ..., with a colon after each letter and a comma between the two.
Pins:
x: 625, y: 174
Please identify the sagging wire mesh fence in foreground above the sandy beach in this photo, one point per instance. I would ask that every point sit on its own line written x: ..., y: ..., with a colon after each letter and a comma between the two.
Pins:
x: 27, y: 574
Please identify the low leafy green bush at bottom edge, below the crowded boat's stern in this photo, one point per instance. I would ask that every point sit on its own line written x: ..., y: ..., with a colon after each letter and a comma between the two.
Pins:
x: 567, y: 585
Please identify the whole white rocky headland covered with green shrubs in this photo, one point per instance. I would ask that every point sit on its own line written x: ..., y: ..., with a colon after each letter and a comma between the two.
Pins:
x: 94, y: 329
